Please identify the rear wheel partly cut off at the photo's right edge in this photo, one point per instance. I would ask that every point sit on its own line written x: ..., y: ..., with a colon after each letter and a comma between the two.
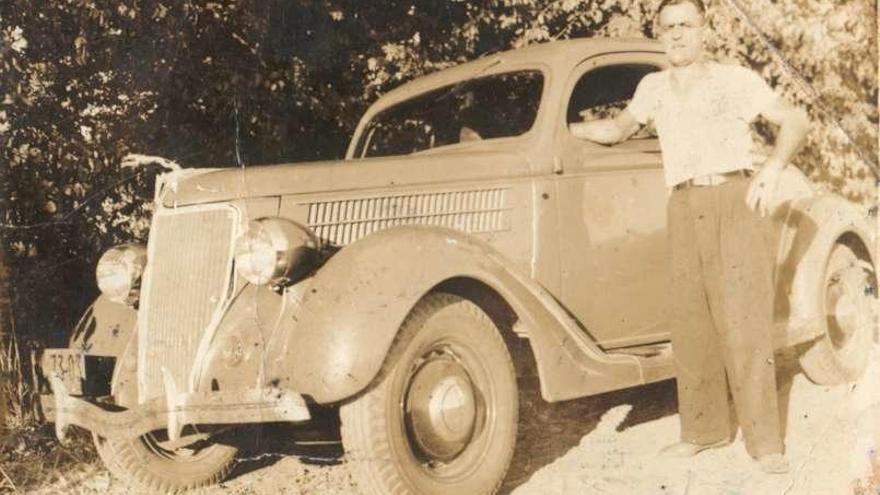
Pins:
x: 841, y: 354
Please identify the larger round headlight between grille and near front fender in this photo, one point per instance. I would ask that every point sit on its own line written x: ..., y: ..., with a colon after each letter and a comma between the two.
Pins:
x: 273, y: 250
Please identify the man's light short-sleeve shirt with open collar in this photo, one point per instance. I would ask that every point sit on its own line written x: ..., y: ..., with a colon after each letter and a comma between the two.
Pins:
x: 706, y: 131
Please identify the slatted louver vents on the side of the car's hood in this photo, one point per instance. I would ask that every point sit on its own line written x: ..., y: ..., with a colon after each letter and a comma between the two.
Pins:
x: 345, y: 221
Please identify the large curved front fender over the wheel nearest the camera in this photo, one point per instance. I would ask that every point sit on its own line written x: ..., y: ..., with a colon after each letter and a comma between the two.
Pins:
x: 346, y: 320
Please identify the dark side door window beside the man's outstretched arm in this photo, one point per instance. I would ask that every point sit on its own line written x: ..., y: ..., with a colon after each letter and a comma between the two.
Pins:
x: 603, y: 92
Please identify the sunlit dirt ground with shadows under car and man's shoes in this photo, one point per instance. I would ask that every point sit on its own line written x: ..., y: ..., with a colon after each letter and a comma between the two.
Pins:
x: 604, y: 444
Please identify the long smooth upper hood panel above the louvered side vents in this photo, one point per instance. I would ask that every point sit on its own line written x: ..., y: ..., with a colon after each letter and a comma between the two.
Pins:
x: 197, y: 186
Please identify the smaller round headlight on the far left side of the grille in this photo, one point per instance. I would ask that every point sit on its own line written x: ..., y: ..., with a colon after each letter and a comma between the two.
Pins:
x: 119, y: 272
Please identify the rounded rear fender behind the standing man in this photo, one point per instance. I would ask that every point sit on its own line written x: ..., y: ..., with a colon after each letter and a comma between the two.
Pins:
x: 820, y: 223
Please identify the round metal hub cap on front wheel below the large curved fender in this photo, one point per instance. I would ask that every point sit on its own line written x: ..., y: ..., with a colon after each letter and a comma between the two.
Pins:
x: 441, y: 408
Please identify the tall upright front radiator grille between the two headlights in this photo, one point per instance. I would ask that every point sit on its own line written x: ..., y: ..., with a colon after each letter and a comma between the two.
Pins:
x: 186, y: 281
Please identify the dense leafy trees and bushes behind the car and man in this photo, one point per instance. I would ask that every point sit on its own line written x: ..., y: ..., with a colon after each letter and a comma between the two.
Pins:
x: 228, y: 83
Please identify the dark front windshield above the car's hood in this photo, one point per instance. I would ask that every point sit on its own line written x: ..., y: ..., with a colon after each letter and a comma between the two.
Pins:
x: 495, y: 106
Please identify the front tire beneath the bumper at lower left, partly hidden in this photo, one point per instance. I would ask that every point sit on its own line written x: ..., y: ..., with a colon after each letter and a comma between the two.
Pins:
x: 143, y: 462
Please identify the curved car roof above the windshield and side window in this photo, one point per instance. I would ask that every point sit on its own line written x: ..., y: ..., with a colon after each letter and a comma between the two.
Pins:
x: 558, y: 55
